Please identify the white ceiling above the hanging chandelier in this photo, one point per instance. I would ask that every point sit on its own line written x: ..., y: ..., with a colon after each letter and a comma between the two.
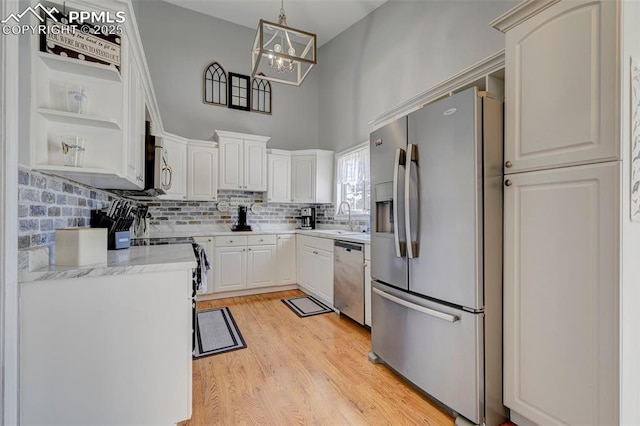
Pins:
x: 326, y: 18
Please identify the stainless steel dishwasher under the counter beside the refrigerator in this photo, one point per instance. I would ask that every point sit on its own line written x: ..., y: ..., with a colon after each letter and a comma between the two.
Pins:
x: 348, y: 279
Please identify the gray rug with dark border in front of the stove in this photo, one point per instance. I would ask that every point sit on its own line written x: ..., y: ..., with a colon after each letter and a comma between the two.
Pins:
x: 217, y: 332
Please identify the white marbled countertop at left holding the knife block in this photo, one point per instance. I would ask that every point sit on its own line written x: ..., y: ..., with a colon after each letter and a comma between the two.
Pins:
x: 134, y: 260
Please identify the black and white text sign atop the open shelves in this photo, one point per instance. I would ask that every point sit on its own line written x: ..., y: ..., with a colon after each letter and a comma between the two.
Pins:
x: 82, y: 41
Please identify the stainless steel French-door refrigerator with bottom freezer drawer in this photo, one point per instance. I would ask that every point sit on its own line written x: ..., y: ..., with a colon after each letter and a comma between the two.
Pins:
x: 436, y: 252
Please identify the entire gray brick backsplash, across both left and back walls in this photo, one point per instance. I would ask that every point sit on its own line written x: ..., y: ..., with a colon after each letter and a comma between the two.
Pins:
x: 46, y: 203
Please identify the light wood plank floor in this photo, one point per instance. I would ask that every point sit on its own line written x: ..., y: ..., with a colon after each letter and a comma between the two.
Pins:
x: 295, y: 370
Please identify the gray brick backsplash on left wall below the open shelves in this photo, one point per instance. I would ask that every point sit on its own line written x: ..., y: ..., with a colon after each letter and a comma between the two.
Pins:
x: 46, y: 203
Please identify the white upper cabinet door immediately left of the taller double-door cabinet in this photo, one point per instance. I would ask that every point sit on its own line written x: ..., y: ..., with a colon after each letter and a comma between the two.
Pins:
x: 202, y: 171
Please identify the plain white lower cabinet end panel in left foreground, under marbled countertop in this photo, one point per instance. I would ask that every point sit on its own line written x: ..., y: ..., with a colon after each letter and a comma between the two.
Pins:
x: 84, y: 363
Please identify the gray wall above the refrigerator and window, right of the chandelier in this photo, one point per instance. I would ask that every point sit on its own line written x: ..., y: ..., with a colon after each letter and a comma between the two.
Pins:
x: 399, y: 50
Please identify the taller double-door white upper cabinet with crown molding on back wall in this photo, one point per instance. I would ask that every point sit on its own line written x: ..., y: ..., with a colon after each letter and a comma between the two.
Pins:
x: 243, y: 161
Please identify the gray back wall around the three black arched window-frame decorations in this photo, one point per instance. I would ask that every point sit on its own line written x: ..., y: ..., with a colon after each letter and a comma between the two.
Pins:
x: 180, y: 43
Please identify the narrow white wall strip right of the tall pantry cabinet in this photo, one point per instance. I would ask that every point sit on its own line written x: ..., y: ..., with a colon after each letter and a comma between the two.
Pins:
x: 630, y: 232
